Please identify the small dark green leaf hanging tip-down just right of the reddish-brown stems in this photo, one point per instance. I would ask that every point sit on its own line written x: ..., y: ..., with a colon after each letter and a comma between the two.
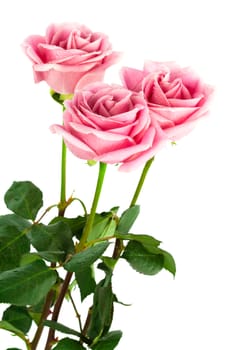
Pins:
x: 86, y: 282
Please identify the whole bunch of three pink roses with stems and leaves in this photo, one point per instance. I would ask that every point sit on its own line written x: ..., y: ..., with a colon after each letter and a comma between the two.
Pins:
x: 125, y: 125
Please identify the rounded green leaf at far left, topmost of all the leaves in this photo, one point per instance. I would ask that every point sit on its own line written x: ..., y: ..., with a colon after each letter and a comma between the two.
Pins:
x: 24, y: 199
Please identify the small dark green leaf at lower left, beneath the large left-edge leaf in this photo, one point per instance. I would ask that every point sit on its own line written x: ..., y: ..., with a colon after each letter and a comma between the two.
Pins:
x: 19, y: 317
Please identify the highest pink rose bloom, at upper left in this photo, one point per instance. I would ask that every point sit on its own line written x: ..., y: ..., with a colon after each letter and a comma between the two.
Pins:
x: 69, y: 53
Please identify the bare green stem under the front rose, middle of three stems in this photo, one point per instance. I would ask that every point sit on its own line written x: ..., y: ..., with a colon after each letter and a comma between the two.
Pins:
x: 91, y: 217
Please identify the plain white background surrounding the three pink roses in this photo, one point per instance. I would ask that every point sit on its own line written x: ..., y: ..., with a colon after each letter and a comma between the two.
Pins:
x: 187, y: 200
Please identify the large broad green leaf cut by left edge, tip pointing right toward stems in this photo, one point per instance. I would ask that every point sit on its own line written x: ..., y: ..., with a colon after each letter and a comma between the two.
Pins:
x: 26, y: 285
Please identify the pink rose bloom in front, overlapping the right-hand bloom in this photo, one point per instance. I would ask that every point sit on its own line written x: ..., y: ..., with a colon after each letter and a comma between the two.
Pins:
x: 111, y: 124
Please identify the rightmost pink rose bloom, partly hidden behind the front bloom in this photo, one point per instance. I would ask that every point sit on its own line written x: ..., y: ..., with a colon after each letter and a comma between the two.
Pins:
x: 176, y: 96
